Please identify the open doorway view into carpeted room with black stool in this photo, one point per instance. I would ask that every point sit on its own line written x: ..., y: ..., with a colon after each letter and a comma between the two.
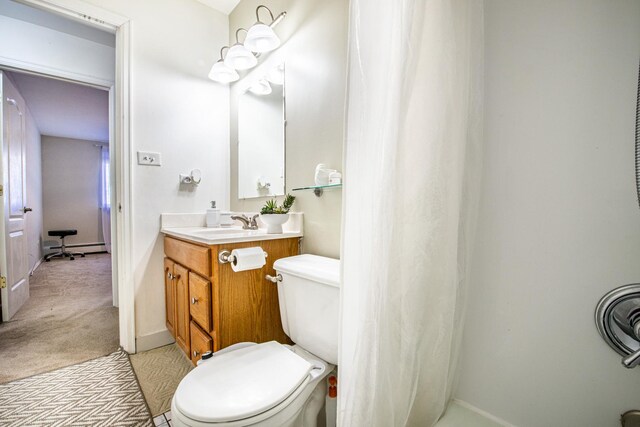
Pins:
x: 58, y: 309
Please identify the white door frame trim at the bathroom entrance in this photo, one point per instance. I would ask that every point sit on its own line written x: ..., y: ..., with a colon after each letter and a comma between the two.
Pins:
x: 83, y: 70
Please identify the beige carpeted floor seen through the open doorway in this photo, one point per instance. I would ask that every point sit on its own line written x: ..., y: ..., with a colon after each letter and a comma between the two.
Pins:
x: 68, y: 319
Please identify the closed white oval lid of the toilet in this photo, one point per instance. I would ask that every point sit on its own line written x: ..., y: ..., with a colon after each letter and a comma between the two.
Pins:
x: 241, y: 383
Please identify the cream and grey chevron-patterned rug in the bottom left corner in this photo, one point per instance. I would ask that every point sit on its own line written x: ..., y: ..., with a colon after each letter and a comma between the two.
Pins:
x: 100, y: 392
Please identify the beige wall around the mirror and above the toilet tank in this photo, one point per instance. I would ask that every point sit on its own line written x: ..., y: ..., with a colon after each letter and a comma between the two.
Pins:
x: 314, y: 47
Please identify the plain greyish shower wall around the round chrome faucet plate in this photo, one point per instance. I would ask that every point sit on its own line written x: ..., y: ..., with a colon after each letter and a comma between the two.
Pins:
x: 559, y: 221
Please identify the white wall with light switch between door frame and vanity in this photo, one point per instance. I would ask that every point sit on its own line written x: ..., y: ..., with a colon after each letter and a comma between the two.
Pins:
x: 177, y: 111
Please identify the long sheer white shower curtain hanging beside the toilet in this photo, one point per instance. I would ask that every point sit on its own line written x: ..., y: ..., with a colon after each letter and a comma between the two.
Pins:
x: 412, y: 162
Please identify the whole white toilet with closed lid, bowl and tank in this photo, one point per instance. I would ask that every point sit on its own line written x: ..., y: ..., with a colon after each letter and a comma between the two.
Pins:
x: 272, y: 384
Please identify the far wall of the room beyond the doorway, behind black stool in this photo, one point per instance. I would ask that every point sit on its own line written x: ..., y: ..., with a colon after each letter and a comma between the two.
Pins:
x: 71, y: 189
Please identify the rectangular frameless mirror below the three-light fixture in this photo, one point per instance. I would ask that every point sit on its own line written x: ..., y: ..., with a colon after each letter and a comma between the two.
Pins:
x: 261, y: 137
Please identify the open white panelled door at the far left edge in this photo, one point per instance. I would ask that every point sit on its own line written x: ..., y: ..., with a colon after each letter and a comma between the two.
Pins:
x: 14, y: 264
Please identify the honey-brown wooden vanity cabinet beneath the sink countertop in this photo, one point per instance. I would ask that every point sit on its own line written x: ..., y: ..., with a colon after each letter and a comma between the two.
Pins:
x: 210, y: 307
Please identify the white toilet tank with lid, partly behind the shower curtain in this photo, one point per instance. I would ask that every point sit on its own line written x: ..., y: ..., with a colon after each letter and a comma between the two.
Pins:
x: 309, y: 302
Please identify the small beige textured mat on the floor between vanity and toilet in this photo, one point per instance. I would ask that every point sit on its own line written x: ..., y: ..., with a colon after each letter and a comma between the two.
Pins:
x: 159, y: 372
